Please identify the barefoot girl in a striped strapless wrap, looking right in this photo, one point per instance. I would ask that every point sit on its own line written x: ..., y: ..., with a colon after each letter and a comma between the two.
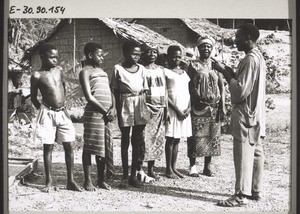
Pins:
x: 98, y: 113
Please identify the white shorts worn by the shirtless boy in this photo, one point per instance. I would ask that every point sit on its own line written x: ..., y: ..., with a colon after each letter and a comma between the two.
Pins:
x: 54, y: 126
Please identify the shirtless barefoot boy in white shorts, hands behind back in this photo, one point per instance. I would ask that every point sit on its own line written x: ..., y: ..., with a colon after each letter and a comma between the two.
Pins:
x: 53, y: 121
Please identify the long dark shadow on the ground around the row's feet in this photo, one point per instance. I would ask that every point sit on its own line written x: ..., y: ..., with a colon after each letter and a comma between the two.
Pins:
x: 164, y: 186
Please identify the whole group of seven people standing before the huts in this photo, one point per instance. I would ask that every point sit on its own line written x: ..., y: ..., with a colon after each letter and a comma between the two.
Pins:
x: 155, y: 107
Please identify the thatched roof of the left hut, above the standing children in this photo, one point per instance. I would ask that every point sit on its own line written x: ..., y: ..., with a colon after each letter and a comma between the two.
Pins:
x: 123, y: 30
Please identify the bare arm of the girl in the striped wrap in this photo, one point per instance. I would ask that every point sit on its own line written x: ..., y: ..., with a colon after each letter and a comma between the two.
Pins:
x: 85, y: 84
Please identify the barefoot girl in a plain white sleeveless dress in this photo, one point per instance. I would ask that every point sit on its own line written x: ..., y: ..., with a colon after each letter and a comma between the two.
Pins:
x: 179, y: 109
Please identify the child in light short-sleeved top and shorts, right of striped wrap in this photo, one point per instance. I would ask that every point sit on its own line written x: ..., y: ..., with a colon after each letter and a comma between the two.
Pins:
x: 129, y: 84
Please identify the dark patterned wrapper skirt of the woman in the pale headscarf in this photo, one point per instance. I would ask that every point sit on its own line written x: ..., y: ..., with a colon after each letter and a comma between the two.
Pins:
x: 206, y: 133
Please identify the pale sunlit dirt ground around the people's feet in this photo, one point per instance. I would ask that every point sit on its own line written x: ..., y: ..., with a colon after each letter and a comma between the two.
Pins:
x: 187, y: 194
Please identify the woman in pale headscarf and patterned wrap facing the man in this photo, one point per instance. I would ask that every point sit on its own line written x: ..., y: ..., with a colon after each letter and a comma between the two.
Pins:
x: 207, y: 99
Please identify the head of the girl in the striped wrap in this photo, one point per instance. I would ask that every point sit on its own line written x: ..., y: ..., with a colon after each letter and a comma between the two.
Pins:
x: 93, y: 53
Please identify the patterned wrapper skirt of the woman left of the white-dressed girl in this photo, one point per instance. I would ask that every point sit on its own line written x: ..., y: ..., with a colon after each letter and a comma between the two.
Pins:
x: 155, y: 136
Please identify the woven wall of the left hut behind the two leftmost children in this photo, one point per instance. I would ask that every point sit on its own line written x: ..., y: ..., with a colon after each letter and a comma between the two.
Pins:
x: 87, y: 30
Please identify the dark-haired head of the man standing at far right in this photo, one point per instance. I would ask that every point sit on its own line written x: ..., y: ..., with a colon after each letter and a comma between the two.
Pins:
x: 246, y: 36
